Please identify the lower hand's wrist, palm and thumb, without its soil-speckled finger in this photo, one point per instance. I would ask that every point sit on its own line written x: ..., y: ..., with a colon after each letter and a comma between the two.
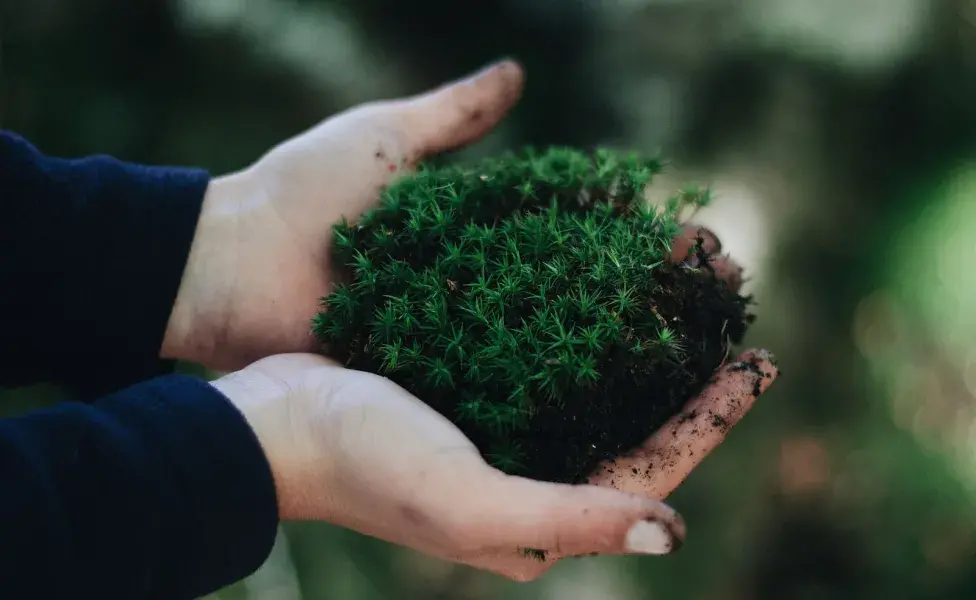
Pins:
x: 355, y: 450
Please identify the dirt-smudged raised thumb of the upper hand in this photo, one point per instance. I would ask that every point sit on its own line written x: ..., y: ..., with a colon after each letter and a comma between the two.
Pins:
x: 461, y: 112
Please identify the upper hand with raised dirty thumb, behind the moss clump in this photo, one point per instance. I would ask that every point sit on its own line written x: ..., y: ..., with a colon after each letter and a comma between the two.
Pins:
x: 259, y: 263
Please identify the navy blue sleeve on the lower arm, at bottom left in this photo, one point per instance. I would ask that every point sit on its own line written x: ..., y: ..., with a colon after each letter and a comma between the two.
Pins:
x: 160, y: 491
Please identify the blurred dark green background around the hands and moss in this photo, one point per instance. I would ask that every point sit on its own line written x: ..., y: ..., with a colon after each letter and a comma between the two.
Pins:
x: 840, y: 139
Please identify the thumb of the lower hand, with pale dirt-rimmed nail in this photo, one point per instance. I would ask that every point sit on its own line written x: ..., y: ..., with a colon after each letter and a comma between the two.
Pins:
x: 570, y: 520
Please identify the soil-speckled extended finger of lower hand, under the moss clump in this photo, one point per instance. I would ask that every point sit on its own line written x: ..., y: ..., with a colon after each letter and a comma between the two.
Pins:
x: 674, y: 451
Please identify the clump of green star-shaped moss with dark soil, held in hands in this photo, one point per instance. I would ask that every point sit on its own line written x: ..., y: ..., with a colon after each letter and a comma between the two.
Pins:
x: 528, y: 299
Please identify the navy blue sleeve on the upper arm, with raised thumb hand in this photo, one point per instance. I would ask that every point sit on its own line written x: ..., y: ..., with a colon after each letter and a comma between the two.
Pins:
x: 92, y: 251
